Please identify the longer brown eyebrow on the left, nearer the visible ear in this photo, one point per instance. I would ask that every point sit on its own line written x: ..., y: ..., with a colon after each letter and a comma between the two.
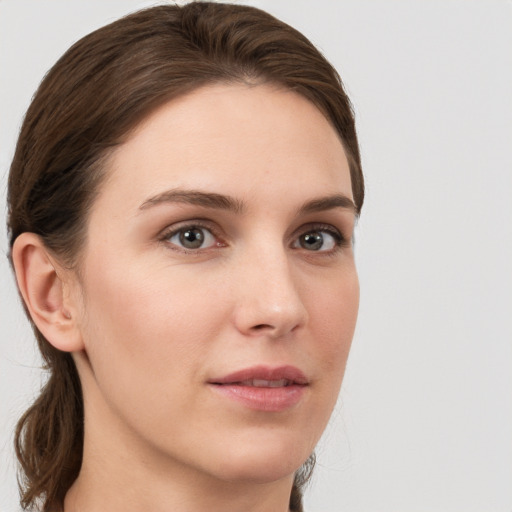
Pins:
x: 195, y: 197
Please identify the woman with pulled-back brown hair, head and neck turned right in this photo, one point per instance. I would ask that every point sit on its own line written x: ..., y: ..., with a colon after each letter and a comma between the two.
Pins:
x: 181, y: 207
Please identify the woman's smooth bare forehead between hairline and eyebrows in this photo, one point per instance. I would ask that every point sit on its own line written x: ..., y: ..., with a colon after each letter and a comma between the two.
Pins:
x: 239, y: 140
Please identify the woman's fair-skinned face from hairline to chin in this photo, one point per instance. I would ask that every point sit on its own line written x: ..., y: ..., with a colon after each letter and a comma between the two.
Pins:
x: 219, y: 291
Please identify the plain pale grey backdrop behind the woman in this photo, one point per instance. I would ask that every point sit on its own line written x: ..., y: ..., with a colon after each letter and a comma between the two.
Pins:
x: 424, y: 421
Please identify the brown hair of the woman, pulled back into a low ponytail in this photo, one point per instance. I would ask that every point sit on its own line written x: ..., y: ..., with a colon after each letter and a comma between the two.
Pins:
x: 86, y: 105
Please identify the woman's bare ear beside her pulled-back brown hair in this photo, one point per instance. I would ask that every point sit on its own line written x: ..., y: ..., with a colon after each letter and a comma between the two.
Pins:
x: 46, y: 293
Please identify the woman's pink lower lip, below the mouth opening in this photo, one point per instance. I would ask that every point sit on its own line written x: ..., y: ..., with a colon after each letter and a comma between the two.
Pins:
x: 262, y: 399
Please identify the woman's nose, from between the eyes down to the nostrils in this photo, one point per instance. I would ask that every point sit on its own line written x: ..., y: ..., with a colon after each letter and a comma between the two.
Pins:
x: 269, y: 301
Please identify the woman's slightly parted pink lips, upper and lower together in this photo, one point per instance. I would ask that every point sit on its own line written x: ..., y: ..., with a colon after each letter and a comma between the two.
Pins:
x: 263, y: 388
